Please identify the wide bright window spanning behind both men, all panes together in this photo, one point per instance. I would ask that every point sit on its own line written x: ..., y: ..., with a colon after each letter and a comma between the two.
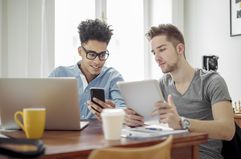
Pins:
x: 127, y: 51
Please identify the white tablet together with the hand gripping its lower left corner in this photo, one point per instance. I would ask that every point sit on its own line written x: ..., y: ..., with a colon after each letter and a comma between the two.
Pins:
x: 140, y: 97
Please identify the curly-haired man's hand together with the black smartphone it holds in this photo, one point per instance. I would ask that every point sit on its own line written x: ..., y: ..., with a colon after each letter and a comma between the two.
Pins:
x: 98, y: 102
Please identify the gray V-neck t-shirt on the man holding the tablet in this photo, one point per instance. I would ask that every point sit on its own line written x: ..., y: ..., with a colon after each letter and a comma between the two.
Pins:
x: 205, y: 89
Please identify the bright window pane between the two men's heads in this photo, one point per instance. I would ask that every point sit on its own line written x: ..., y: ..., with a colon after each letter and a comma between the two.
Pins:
x: 127, y: 44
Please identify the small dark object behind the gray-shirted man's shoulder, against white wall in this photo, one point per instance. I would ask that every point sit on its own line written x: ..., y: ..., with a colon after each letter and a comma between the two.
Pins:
x: 210, y: 62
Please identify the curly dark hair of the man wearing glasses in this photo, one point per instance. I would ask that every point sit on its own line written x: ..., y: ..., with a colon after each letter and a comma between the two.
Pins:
x: 94, y: 30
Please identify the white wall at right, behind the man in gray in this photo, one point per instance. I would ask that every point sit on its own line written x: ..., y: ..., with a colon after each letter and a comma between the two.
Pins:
x: 207, y: 31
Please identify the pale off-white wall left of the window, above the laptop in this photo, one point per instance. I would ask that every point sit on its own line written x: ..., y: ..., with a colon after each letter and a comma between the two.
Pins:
x: 28, y: 34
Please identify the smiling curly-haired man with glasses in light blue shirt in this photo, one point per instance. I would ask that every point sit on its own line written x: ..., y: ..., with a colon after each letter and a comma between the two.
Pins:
x: 90, y: 70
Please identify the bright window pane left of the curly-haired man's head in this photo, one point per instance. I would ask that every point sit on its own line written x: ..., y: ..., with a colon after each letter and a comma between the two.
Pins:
x: 68, y: 15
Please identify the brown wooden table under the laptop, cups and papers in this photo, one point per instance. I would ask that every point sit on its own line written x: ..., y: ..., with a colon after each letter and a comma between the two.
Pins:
x: 79, y: 144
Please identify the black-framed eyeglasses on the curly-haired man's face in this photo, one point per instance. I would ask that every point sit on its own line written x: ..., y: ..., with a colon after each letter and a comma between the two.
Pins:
x: 91, y: 55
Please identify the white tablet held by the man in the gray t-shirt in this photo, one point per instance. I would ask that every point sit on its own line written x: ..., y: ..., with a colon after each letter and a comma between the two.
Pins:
x: 141, y: 96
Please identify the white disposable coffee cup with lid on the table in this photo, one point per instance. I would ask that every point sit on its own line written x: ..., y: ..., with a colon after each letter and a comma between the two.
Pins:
x: 112, y: 120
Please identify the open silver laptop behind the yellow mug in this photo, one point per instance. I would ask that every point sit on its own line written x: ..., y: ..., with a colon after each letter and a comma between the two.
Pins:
x: 58, y: 95
